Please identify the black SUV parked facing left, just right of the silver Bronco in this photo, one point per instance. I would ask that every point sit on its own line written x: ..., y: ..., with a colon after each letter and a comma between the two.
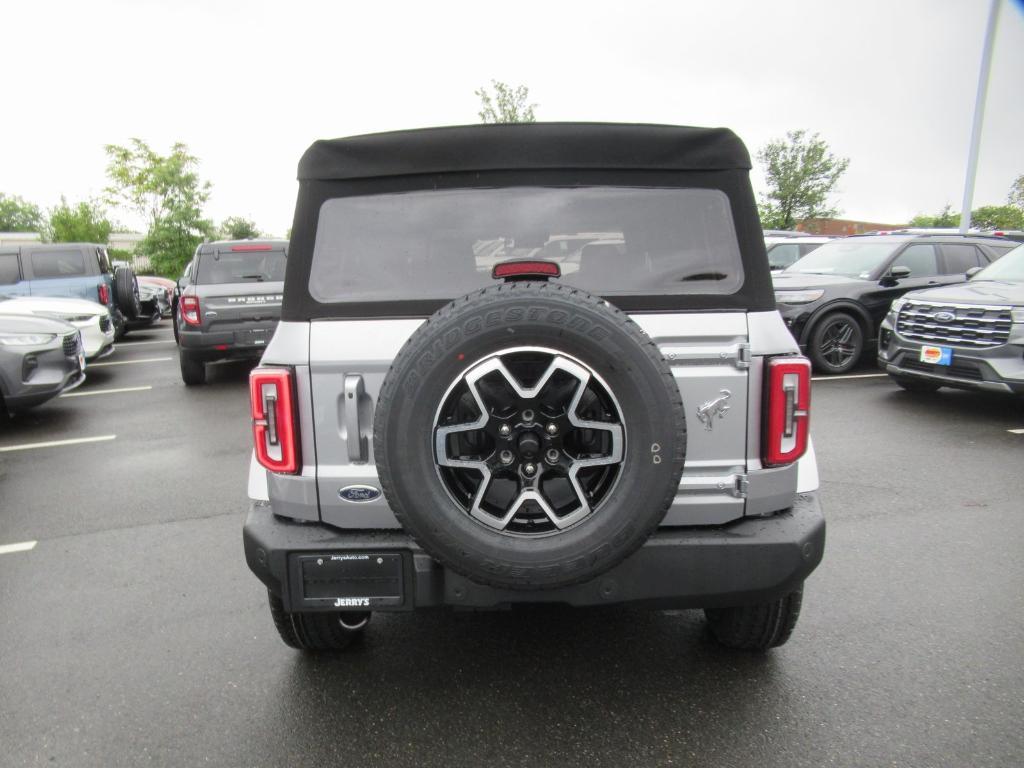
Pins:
x: 835, y: 298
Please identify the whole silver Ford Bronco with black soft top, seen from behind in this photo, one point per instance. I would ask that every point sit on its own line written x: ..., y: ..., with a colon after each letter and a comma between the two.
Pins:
x: 526, y: 364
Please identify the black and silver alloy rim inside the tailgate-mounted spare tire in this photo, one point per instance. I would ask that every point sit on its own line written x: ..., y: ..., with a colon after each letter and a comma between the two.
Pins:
x: 529, y: 441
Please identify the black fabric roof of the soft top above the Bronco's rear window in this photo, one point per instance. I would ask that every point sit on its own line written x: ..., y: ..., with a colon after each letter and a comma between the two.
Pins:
x: 525, y: 147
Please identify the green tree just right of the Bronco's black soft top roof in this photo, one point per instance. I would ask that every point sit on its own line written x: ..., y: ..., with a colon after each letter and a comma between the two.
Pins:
x: 801, y: 175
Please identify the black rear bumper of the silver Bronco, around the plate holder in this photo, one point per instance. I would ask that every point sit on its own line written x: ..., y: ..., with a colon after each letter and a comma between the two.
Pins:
x: 750, y: 562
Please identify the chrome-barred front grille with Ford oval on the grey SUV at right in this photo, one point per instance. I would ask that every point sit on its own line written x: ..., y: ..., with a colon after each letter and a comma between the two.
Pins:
x: 971, y: 326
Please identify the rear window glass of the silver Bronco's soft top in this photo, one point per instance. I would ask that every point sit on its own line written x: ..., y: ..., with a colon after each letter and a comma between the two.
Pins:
x: 612, y: 241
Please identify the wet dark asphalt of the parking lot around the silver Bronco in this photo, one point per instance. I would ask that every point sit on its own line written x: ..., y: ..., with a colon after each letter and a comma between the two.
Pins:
x: 134, y: 634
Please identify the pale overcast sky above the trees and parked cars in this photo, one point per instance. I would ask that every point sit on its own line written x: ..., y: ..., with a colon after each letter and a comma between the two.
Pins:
x: 249, y: 86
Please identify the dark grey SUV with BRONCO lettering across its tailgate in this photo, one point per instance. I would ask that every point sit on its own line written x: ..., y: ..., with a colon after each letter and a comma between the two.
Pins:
x: 231, y: 304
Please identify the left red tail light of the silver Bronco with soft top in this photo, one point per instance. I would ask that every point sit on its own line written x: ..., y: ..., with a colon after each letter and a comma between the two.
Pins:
x: 272, y: 400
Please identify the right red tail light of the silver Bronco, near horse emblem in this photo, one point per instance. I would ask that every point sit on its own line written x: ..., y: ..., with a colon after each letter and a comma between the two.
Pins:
x: 788, y: 410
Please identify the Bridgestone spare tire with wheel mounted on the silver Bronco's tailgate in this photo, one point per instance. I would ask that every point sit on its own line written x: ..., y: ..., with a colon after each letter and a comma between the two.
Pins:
x: 530, y: 437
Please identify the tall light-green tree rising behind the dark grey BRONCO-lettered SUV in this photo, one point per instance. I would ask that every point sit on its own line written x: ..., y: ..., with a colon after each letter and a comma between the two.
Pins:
x: 167, y: 191
